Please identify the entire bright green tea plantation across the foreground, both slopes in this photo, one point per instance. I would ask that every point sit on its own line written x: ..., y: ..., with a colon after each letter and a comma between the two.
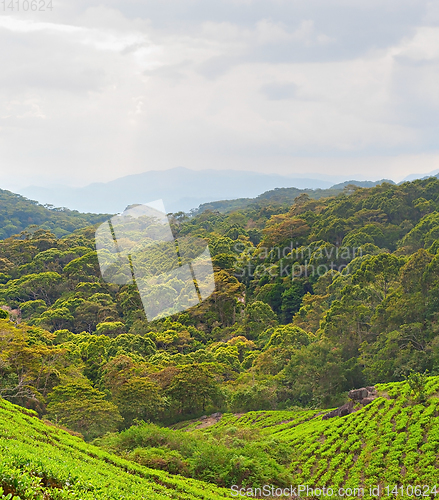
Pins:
x: 392, y: 442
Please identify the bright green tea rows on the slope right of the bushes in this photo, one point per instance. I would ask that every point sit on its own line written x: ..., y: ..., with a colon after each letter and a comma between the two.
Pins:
x: 391, y: 441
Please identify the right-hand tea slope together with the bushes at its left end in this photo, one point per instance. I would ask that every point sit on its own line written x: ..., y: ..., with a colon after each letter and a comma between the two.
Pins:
x: 392, y: 441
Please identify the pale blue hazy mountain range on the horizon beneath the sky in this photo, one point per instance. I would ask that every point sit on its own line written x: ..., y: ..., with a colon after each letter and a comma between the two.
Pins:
x: 181, y: 189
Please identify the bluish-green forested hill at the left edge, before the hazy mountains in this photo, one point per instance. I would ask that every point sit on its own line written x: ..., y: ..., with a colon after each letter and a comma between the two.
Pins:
x: 18, y: 214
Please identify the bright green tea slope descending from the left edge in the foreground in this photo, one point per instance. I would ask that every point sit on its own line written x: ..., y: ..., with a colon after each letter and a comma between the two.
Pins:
x: 42, y: 462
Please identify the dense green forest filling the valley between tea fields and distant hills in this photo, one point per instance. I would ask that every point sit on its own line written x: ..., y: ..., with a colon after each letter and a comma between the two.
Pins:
x: 311, y: 301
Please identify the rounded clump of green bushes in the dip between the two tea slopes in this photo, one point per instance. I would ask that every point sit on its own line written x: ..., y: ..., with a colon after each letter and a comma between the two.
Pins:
x: 223, y: 460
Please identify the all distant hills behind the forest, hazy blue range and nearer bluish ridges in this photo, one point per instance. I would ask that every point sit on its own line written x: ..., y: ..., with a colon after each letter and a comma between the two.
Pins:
x: 181, y: 189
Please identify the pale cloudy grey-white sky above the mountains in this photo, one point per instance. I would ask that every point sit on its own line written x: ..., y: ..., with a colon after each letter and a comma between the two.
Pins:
x: 92, y: 91
